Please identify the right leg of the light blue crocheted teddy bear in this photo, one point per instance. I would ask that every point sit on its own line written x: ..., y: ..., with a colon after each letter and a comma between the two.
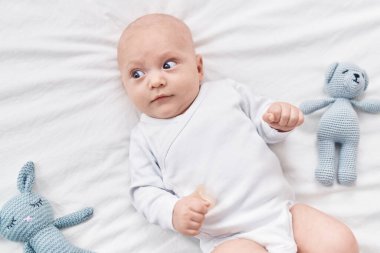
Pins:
x: 347, y: 164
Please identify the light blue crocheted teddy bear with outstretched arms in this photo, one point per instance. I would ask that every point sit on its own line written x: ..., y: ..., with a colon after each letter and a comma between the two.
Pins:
x: 339, y: 125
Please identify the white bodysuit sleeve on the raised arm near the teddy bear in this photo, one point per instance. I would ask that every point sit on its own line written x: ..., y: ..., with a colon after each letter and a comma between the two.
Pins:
x: 255, y: 107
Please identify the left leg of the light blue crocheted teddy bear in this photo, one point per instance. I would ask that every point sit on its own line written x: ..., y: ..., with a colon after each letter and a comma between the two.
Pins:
x: 325, y: 172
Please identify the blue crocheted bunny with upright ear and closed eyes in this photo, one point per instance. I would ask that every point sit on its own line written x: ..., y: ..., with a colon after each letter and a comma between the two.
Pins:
x: 28, y: 218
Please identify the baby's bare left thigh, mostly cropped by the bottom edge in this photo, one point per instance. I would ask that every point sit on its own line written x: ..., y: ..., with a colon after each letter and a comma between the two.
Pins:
x: 241, y: 246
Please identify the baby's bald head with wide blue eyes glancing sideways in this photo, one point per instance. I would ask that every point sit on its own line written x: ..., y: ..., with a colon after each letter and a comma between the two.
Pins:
x: 159, y: 67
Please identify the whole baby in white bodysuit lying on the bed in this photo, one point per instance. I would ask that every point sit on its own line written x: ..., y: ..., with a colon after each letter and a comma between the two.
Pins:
x: 214, y: 135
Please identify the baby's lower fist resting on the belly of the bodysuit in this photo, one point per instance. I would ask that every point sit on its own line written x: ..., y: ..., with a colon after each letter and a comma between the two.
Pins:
x: 189, y: 214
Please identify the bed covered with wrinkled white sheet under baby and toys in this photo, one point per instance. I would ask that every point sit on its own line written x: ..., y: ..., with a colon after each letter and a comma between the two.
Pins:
x: 63, y: 106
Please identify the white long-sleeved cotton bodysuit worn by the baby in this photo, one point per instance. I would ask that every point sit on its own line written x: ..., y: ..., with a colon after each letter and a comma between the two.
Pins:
x: 219, y: 142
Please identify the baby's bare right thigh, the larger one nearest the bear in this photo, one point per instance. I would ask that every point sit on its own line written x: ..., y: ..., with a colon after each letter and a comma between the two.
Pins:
x: 316, y: 232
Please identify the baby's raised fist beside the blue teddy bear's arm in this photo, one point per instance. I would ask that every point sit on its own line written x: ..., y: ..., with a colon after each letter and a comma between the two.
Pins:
x: 283, y: 116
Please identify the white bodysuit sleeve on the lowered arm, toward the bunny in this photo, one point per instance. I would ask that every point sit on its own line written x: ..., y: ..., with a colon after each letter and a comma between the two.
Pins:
x: 147, y: 190
